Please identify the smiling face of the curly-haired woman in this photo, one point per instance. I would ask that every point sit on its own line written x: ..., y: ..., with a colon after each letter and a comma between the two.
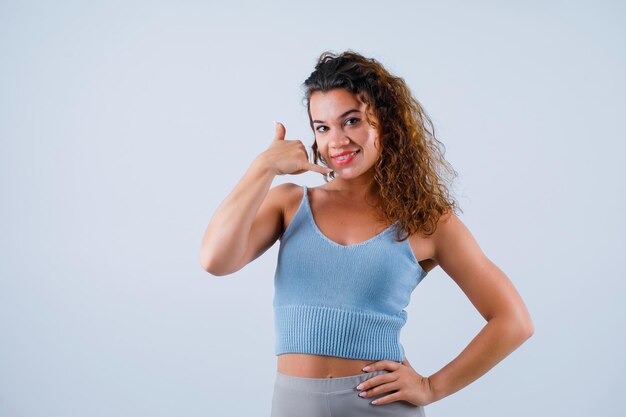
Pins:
x: 340, y: 126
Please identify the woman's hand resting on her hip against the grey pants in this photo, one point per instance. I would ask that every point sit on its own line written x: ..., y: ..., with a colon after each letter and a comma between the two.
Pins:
x: 403, y: 381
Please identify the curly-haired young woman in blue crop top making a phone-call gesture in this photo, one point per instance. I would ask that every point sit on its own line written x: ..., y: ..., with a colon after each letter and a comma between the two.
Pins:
x: 352, y: 250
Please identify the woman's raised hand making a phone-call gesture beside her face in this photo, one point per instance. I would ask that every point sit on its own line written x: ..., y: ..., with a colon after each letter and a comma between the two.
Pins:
x: 289, y: 156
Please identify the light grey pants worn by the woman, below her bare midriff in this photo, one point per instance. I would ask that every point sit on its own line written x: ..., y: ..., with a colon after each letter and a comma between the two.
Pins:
x: 333, y: 397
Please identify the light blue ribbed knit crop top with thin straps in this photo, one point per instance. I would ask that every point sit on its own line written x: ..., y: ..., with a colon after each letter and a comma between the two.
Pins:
x: 341, y: 300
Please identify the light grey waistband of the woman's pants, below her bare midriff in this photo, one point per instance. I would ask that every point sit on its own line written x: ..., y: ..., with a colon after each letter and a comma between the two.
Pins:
x: 324, y: 384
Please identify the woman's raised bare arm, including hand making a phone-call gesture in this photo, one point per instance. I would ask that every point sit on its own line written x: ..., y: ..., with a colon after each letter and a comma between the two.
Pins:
x: 250, y: 219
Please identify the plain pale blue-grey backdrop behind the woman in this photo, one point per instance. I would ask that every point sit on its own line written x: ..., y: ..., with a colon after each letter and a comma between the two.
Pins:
x: 123, y: 125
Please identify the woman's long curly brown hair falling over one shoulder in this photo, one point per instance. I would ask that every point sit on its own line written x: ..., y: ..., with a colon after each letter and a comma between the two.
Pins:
x: 411, y: 176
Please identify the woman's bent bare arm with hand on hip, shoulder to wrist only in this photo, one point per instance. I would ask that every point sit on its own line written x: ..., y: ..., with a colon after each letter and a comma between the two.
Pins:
x: 494, y: 296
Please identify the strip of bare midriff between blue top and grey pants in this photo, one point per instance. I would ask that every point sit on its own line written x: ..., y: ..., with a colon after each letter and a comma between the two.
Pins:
x: 319, y: 366
